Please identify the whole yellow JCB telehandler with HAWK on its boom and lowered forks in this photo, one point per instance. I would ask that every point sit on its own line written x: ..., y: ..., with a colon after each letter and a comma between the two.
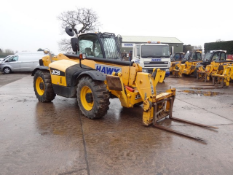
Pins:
x: 95, y: 72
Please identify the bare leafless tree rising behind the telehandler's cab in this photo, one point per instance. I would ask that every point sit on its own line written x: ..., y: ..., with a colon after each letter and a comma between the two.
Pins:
x: 84, y: 20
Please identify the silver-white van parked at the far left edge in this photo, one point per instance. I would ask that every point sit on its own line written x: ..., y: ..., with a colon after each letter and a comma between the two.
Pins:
x: 25, y: 61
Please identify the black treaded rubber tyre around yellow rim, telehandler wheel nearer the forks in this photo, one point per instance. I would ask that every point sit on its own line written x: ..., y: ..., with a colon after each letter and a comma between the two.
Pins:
x: 100, y: 97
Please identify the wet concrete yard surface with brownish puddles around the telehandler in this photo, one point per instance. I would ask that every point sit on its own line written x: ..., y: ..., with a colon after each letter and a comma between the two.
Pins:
x: 54, y: 138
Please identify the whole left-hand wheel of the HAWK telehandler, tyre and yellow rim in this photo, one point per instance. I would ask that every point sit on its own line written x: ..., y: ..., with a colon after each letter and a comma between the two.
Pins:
x: 43, y: 87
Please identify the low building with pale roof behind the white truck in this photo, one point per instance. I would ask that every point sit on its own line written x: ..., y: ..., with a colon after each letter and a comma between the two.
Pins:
x: 128, y: 41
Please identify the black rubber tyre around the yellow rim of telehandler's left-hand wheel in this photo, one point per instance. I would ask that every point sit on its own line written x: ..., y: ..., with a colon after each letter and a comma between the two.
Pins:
x: 49, y: 94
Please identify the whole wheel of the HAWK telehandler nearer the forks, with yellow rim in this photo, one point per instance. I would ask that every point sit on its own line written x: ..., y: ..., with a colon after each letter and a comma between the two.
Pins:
x: 98, y: 103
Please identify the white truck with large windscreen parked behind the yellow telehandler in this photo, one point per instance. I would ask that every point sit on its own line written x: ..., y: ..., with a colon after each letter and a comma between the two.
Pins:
x: 152, y: 55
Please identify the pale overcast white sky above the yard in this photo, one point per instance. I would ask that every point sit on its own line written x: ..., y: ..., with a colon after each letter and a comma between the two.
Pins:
x: 27, y: 25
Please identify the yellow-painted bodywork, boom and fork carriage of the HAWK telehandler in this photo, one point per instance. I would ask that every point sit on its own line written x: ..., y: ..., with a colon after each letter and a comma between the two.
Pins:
x: 131, y: 85
